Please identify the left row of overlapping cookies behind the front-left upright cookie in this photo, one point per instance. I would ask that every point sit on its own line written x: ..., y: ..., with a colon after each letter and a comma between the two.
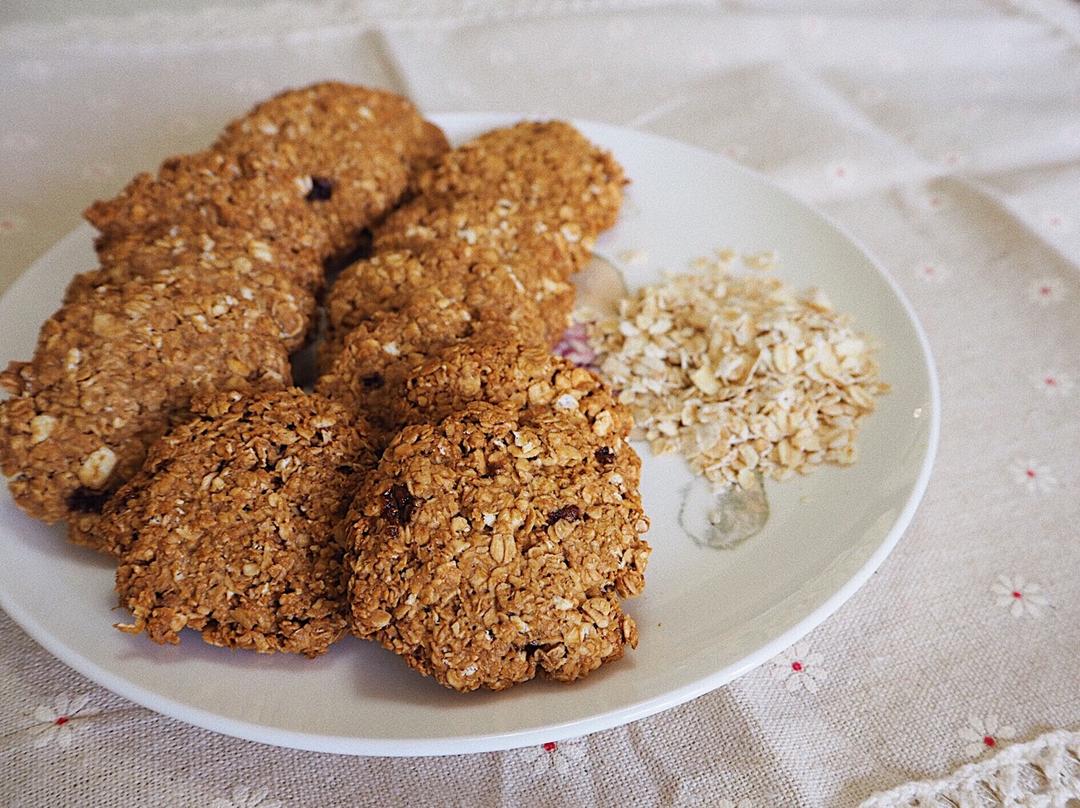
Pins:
x: 209, y: 276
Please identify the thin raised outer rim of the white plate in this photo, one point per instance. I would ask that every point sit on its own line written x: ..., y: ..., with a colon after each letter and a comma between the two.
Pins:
x: 514, y: 739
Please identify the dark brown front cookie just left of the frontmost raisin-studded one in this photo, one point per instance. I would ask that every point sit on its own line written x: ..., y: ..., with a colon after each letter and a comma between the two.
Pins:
x: 231, y: 529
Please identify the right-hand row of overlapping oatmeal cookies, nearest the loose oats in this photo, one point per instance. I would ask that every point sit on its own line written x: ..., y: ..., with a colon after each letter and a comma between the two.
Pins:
x: 504, y: 521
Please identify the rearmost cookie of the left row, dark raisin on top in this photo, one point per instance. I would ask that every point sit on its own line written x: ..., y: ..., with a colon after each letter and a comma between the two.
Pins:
x: 310, y: 168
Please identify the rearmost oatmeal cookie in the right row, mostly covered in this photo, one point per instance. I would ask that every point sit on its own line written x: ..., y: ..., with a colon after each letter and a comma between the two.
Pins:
x: 548, y: 168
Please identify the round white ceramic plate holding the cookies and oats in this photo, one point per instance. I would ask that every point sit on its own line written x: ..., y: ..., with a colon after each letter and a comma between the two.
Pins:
x: 707, y: 615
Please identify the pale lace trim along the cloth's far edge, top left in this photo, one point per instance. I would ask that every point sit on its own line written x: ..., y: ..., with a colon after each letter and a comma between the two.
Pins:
x: 287, y: 20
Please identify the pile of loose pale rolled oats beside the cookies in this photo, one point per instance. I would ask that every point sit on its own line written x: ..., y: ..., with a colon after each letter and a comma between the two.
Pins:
x: 740, y: 375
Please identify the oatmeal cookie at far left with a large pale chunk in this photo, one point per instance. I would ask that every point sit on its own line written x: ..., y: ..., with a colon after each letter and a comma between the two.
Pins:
x: 111, y: 374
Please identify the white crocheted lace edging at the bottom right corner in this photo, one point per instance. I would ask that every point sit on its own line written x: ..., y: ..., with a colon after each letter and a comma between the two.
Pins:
x: 1042, y: 773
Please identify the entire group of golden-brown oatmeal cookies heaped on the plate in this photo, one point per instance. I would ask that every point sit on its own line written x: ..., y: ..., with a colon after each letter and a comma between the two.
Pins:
x: 451, y: 490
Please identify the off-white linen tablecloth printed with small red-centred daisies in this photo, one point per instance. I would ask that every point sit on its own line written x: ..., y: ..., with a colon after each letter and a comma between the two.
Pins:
x: 946, y: 137
